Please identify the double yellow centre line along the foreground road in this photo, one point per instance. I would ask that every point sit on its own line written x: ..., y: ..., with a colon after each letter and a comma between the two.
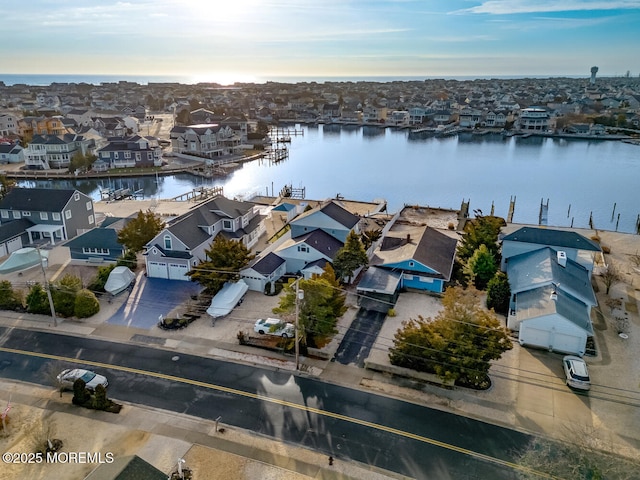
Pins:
x: 286, y: 403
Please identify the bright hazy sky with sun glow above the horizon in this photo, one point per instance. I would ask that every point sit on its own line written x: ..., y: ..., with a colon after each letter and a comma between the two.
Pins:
x: 257, y: 40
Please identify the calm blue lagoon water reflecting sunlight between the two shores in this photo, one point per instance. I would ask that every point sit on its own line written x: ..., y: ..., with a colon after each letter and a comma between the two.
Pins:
x: 366, y: 163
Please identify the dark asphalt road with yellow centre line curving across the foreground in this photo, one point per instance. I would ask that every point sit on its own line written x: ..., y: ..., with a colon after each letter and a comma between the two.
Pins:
x: 410, y: 439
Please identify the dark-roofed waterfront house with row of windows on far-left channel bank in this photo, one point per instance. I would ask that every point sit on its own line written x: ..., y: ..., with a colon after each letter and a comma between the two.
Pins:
x: 134, y: 151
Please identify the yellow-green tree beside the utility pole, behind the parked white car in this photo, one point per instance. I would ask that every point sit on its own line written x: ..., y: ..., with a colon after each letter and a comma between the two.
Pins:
x: 322, y: 304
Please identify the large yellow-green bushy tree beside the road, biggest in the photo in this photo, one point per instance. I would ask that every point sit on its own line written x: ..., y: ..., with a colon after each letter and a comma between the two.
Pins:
x: 457, y: 345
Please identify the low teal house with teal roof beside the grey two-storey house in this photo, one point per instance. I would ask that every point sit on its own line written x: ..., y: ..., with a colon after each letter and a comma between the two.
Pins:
x: 98, y: 245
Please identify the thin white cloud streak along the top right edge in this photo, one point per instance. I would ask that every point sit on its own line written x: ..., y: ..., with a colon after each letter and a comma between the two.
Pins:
x: 508, y: 7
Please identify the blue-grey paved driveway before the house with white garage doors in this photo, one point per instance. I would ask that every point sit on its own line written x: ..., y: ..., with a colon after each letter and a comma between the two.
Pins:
x: 151, y: 298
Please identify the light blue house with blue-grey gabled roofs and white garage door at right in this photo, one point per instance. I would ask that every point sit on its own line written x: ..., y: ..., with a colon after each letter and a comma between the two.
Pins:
x: 551, y: 301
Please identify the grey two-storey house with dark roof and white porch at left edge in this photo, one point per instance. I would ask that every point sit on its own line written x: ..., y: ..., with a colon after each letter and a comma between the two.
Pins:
x: 54, y: 214
